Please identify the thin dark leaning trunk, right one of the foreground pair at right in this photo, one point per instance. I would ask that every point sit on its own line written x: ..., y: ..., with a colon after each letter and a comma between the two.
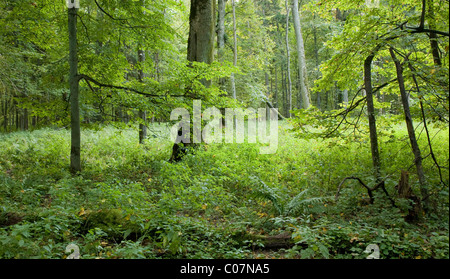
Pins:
x: 410, y: 127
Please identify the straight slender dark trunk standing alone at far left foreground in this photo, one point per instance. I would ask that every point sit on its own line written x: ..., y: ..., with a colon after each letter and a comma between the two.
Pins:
x: 75, y: 153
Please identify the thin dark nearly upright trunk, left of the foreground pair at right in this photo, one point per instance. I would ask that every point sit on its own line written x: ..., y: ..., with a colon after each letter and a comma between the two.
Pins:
x: 371, y: 115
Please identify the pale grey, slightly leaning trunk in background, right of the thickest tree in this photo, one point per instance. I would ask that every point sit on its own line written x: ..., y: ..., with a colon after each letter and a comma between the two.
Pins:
x: 302, y: 72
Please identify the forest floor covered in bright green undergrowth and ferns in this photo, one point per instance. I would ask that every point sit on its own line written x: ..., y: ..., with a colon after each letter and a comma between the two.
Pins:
x: 224, y: 201
